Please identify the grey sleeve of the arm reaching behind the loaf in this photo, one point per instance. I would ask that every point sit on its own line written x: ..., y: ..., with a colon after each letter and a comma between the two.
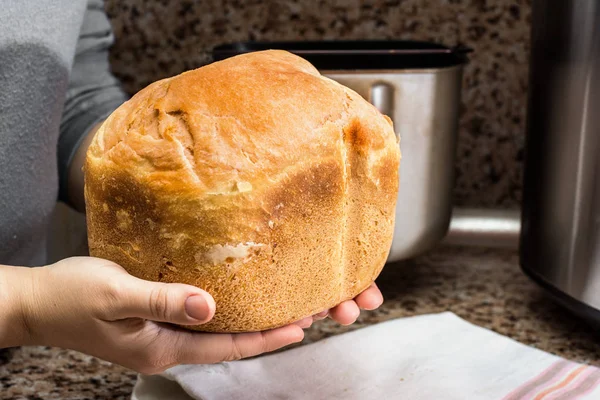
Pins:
x: 93, y: 91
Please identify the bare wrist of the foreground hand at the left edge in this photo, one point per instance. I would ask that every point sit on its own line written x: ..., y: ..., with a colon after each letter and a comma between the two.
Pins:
x: 15, y: 284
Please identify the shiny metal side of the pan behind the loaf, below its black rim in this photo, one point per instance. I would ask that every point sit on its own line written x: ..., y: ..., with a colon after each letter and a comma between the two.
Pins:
x: 424, y: 105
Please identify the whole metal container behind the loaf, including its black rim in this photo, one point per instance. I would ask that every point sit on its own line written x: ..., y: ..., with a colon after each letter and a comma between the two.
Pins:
x: 418, y: 85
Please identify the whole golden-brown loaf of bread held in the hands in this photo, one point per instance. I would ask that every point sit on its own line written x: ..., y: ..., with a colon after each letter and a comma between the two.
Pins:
x: 254, y: 178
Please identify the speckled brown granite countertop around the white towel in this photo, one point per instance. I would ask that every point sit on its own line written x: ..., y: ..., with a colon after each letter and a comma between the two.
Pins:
x: 484, y: 287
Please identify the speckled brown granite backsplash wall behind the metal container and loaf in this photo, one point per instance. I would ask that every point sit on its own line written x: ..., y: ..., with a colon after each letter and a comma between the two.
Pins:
x: 156, y: 39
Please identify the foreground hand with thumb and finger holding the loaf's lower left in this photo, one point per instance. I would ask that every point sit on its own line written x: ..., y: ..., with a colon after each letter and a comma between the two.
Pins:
x: 94, y: 306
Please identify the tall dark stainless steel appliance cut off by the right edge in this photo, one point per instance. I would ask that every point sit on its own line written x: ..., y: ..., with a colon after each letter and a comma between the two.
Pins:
x: 560, y: 239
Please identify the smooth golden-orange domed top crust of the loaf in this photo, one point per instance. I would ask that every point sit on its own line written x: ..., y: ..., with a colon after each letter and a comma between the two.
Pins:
x: 235, y: 125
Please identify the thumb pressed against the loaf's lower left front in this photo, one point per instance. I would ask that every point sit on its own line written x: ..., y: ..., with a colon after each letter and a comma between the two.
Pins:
x: 165, y: 302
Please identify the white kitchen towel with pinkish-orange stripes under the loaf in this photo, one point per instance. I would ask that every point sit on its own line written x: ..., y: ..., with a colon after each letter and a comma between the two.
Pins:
x: 438, y: 356
